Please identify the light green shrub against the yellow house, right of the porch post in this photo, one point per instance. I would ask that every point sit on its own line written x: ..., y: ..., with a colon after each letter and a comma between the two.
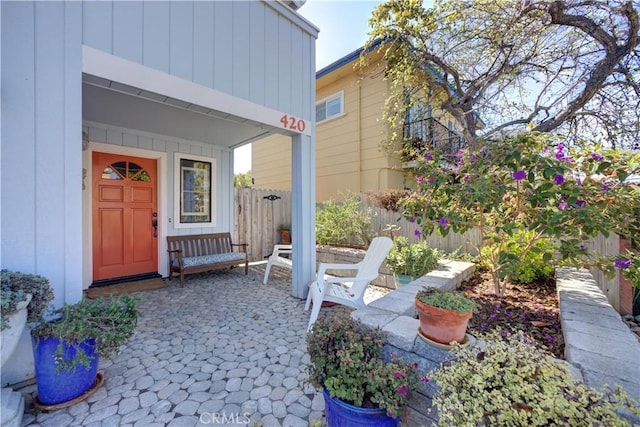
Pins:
x: 344, y: 223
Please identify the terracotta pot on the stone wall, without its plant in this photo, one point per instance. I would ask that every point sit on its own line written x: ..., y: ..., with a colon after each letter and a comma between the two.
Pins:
x: 441, y: 325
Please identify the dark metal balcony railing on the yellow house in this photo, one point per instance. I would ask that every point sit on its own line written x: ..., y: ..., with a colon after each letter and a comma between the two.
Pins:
x: 429, y: 135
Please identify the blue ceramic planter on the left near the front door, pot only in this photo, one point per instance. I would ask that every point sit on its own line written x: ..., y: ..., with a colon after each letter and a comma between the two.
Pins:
x: 53, y: 387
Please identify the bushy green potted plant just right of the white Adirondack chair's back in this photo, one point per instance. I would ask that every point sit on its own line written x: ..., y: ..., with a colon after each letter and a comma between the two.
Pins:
x: 408, y: 261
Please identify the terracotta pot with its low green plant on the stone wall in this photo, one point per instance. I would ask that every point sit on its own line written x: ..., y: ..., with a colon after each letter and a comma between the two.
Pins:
x: 443, y: 315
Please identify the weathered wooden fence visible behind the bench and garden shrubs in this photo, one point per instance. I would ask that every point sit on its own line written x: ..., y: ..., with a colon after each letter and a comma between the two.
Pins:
x: 259, y: 213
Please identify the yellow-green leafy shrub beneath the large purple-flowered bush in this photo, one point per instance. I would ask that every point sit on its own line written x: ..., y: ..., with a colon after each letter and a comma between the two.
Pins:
x: 521, y: 265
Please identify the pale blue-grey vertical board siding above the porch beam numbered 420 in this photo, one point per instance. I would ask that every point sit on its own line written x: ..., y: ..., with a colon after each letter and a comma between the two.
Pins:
x: 255, y: 50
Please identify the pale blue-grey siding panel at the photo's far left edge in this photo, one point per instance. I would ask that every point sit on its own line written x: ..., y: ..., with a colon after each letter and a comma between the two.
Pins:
x: 18, y: 137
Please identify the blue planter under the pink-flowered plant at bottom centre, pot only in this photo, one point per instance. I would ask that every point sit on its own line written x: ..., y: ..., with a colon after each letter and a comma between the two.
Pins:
x: 341, y: 414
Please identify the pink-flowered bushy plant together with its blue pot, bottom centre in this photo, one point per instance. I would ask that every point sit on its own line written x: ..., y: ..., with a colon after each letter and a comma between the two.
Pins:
x: 359, y: 388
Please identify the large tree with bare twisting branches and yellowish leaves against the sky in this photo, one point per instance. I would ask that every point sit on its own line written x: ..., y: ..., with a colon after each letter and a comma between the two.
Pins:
x: 567, y: 66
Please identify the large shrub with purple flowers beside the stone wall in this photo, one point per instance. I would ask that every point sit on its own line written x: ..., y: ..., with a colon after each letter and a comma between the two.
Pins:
x: 530, y: 182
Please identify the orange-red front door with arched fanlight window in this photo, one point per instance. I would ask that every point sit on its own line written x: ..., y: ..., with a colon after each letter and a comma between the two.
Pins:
x: 124, y: 212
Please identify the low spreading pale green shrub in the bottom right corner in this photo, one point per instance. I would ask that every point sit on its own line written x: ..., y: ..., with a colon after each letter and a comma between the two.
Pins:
x: 511, y: 383
